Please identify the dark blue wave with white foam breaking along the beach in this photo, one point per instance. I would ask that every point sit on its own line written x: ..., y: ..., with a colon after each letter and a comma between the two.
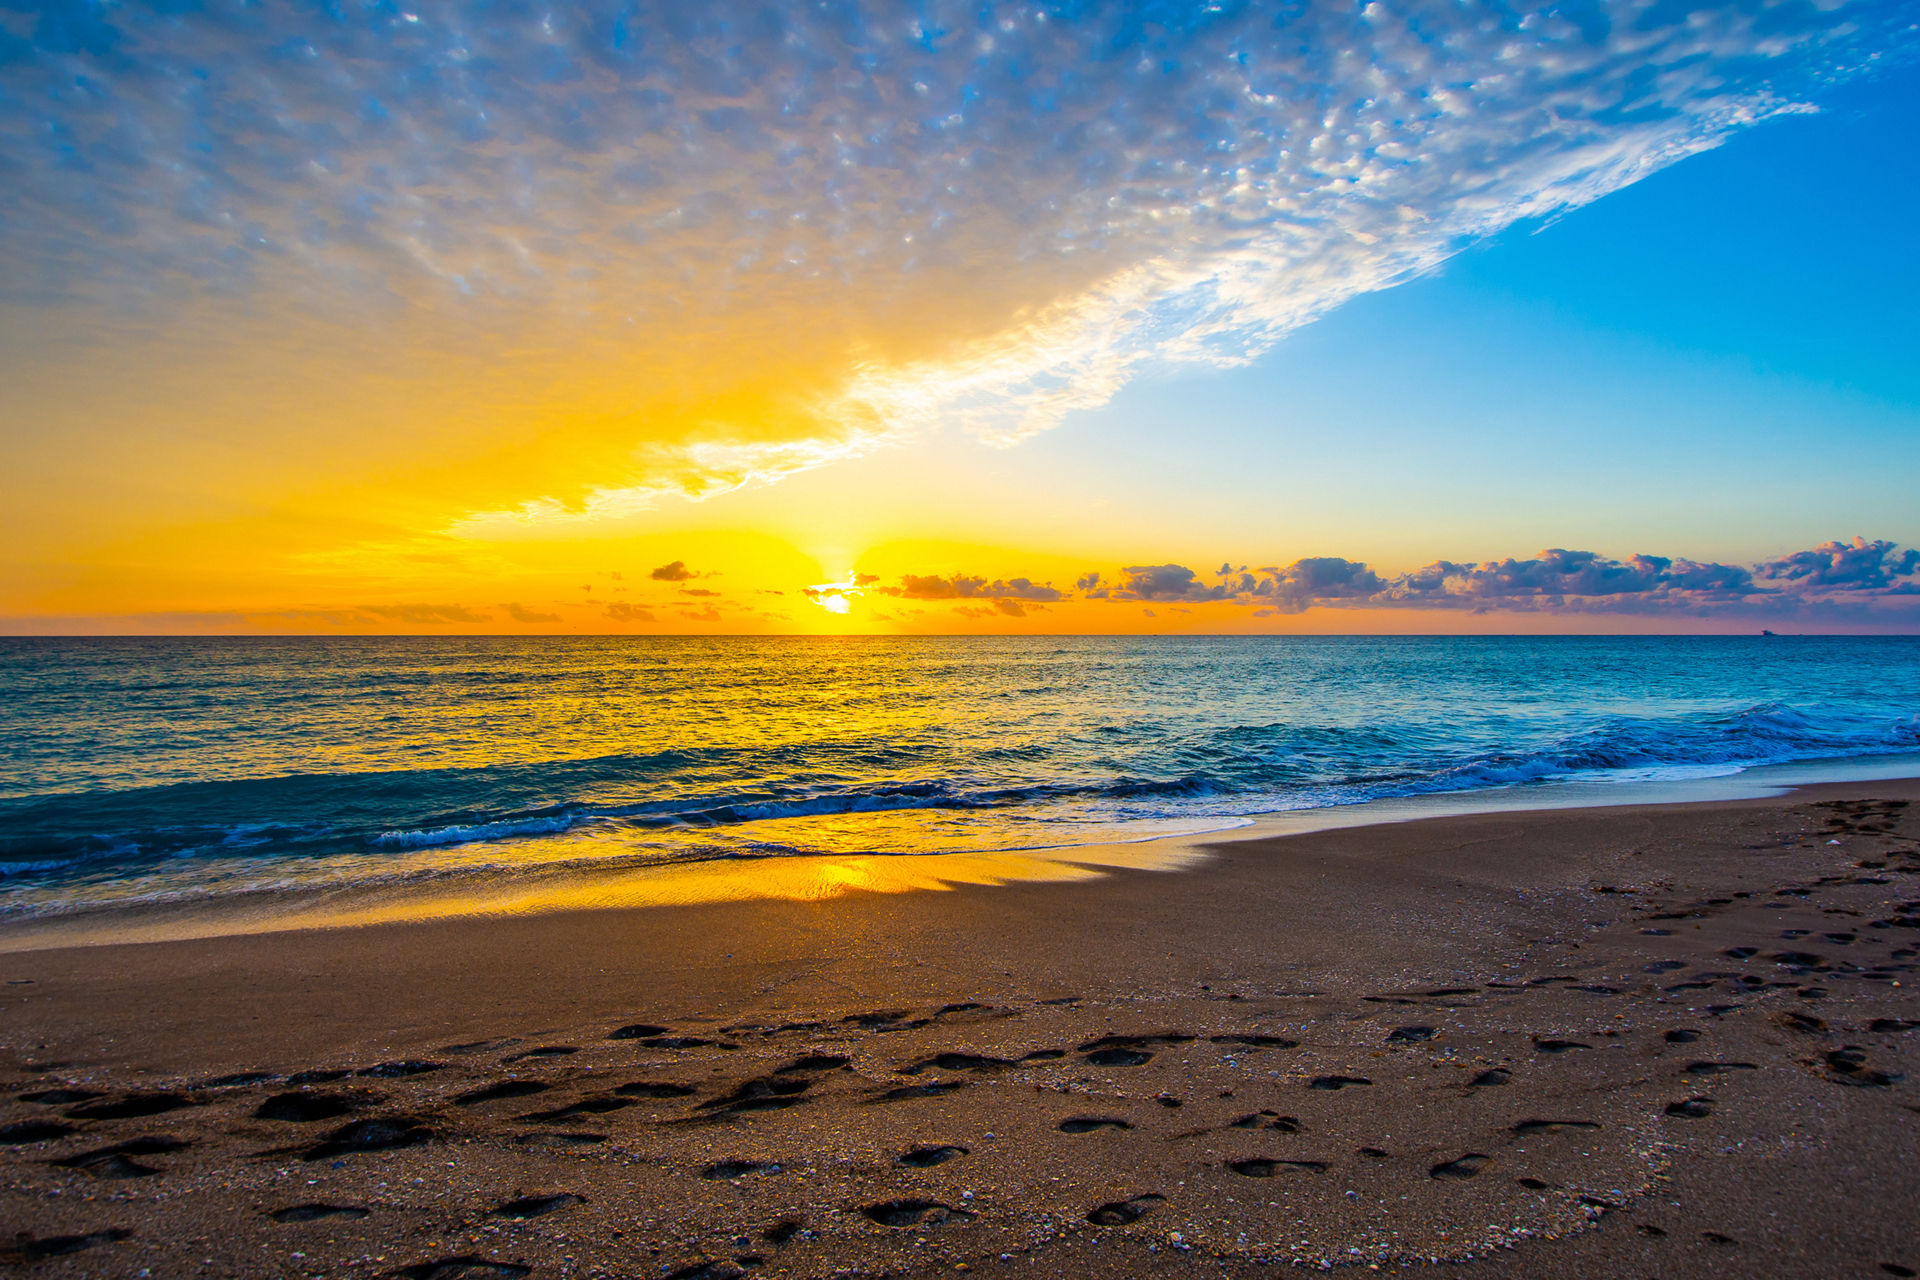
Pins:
x: 1226, y: 770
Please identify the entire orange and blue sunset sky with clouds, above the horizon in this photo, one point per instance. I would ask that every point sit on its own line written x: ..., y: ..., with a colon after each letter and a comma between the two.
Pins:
x: 932, y: 318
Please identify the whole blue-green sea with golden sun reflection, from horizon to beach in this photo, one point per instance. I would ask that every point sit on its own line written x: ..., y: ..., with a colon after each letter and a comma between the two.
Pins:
x: 168, y: 770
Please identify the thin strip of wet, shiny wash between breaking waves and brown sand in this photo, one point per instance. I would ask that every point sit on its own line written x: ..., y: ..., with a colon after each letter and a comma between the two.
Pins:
x: 579, y: 886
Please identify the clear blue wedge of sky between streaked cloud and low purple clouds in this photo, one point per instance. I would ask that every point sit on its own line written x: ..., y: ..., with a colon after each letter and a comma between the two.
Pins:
x: 1723, y: 358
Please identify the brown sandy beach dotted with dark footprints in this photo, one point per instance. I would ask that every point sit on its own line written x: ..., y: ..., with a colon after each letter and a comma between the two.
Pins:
x: 1656, y: 1041
